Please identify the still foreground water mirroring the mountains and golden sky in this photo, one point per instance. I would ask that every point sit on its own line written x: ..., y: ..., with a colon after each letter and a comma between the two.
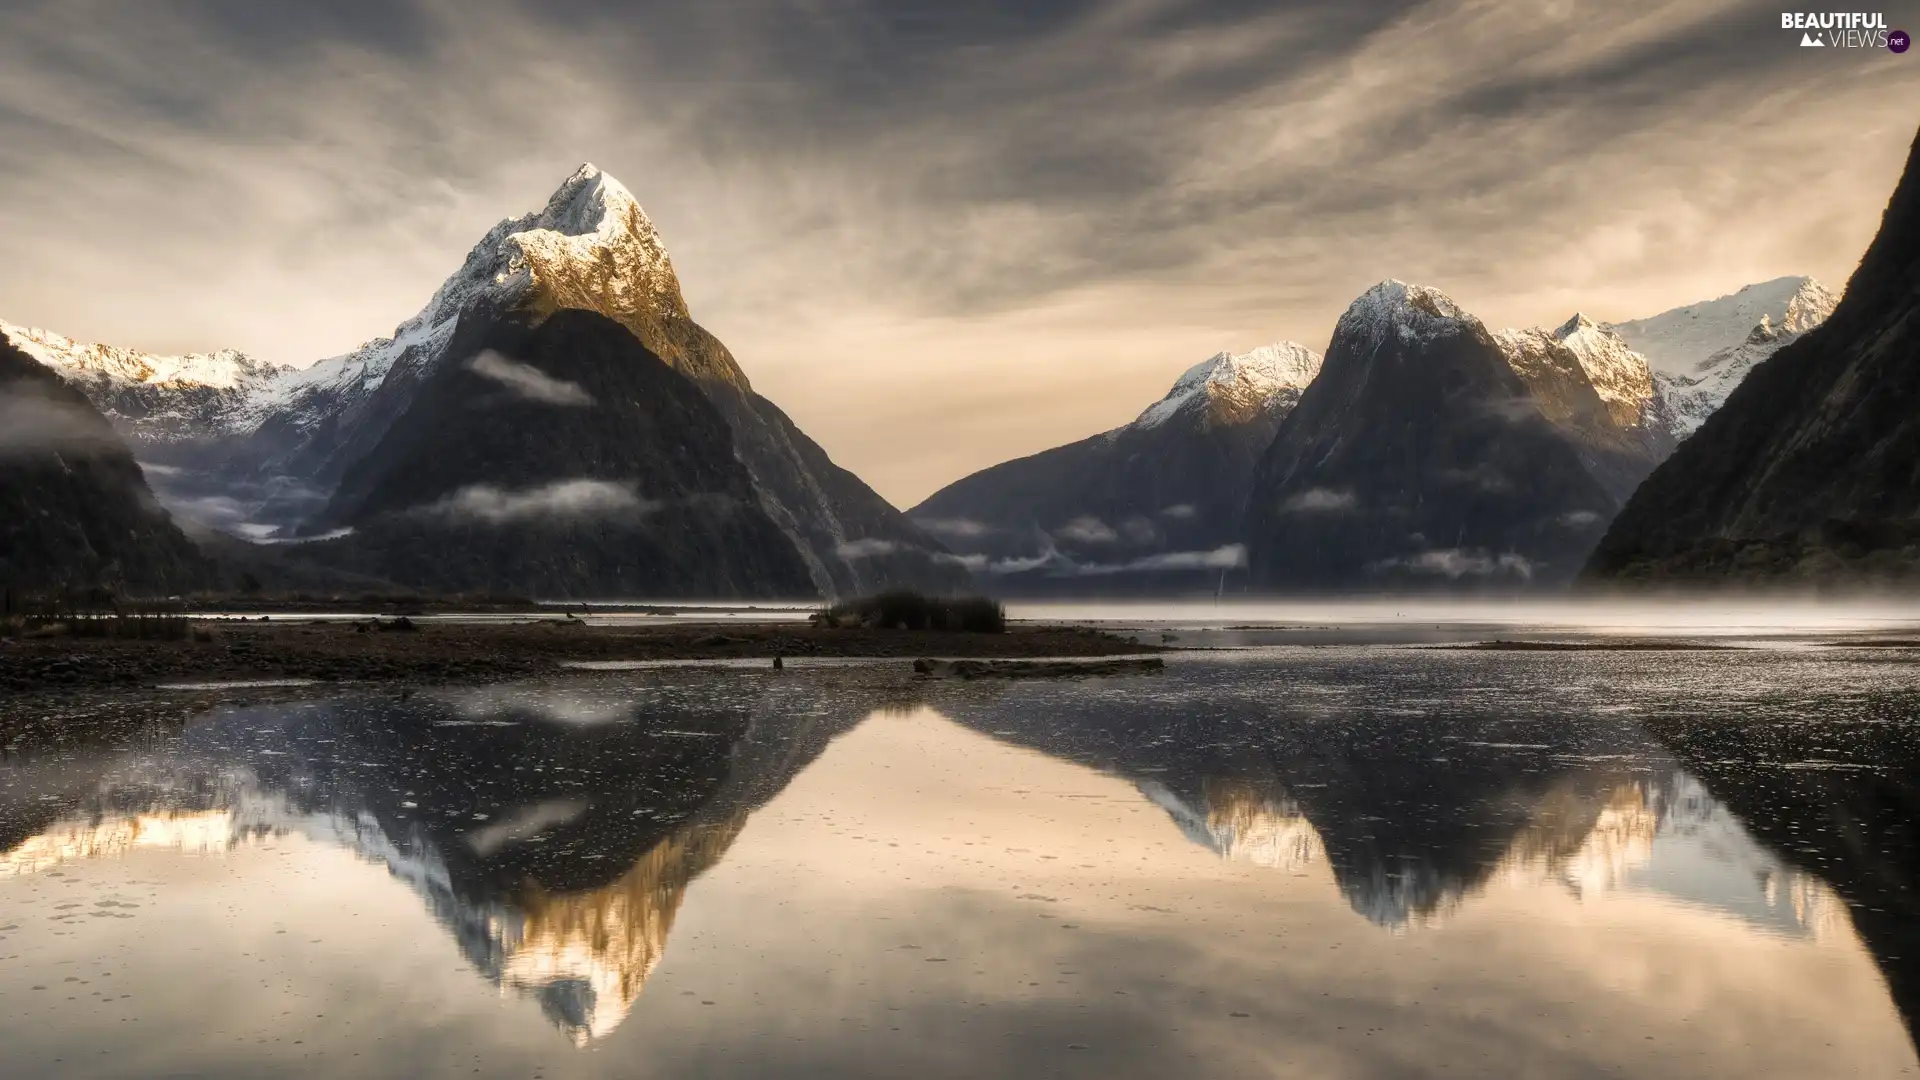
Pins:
x: 1297, y: 862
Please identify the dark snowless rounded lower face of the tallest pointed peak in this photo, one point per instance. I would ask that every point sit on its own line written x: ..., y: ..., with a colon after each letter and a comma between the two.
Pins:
x: 565, y: 460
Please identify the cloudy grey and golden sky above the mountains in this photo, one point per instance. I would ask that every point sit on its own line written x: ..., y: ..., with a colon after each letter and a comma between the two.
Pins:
x: 938, y: 235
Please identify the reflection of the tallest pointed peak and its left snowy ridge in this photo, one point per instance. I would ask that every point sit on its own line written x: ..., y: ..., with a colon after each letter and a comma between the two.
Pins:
x: 544, y: 829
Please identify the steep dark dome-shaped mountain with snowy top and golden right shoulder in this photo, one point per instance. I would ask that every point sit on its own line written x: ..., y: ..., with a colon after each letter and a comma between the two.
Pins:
x: 1431, y: 453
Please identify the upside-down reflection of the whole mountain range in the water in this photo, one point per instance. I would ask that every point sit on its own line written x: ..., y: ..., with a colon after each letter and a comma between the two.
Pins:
x: 556, y: 831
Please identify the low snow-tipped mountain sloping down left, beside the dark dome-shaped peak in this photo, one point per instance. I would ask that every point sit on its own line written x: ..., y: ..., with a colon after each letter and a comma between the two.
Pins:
x: 1149, y: 506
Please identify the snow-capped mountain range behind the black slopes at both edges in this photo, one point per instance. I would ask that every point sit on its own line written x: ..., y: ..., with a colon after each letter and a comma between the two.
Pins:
x: 556, y: 422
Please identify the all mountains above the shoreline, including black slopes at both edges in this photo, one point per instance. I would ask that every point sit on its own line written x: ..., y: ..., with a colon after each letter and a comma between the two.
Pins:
x: 556, y: 424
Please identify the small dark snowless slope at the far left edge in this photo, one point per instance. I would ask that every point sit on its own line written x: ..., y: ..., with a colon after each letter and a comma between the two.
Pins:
x: 74, y: 508
